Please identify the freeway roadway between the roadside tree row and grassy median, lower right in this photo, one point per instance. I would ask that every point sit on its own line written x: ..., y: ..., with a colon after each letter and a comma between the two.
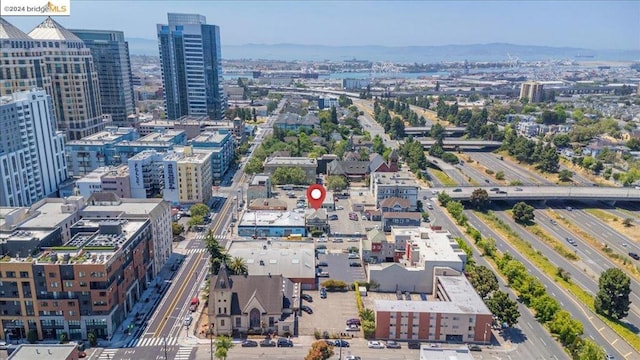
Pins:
x: 593, y: 326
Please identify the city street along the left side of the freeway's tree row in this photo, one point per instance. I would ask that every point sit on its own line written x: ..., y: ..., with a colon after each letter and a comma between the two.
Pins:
x: 531, y: 340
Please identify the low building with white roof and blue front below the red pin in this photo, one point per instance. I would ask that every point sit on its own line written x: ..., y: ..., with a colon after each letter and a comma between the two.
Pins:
x: 272, y: 224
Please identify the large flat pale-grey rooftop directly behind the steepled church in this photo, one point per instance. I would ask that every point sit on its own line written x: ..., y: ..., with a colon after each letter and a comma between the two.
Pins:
x: 290, y: 259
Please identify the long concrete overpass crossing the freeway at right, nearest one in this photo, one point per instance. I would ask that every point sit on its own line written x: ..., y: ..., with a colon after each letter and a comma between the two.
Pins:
x: 543, y: 193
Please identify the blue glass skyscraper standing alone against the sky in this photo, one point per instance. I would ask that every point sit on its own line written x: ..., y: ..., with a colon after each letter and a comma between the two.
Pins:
x: 191, y: 63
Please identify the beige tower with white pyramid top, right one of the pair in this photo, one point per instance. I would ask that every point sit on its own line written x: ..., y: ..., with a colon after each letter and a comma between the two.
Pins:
x: 74, y: 80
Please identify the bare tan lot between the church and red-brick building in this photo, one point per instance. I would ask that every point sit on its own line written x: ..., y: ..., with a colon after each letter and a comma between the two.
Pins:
x: 329, y: 314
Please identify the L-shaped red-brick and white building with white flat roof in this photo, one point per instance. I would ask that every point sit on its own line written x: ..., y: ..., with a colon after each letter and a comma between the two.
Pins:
x: 455, y: 314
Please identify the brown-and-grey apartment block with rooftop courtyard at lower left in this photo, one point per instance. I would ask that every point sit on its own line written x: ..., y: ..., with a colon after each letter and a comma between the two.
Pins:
x: 77, y: 266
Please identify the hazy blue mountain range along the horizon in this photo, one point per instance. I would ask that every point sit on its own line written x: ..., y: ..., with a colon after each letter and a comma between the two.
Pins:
x: 402, y: 54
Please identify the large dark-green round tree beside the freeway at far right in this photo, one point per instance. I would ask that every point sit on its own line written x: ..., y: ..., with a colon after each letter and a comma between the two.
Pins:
x: 612, y: 299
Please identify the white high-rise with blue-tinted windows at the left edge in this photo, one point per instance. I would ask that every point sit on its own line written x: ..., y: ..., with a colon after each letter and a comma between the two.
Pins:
x: 32, y: 162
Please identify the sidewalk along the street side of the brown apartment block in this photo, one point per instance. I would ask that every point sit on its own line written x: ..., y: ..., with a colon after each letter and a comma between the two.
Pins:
x: 142, y: 310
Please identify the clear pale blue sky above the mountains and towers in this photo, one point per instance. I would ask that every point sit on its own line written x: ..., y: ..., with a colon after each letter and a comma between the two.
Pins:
x: 587, y: 24
